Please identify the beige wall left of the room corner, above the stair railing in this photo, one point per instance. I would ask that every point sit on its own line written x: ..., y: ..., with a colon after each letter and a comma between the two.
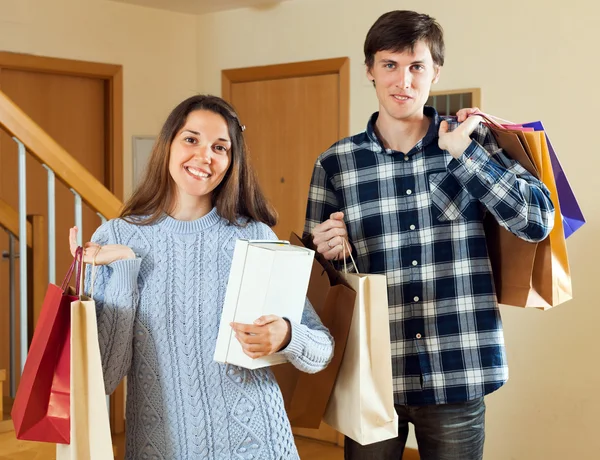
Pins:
x: 157, y: 49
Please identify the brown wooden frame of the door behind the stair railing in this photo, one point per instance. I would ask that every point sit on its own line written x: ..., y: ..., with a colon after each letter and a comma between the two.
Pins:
x: 112, y: 75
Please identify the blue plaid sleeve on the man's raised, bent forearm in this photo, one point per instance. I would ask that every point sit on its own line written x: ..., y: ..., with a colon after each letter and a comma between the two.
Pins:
x: 519, y: 201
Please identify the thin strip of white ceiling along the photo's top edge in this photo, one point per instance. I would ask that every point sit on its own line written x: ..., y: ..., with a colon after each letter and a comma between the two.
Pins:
x: 201, y: 6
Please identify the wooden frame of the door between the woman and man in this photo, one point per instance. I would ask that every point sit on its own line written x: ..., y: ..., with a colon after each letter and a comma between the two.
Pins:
x: 335, y: 66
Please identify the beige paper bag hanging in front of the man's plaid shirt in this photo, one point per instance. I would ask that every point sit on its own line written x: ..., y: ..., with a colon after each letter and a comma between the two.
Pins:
x: 361, y: 405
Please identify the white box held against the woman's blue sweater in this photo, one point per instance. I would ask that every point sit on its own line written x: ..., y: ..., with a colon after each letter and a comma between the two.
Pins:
x: 266, y: 278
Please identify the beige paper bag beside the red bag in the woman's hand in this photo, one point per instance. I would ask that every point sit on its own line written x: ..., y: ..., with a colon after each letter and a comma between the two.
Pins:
x: 90, y: 425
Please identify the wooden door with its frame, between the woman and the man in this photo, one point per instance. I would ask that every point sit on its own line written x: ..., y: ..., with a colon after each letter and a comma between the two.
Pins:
x: 292, y: 113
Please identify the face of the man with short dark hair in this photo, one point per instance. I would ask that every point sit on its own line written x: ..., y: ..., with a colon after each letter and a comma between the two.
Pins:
x: 403, y: 81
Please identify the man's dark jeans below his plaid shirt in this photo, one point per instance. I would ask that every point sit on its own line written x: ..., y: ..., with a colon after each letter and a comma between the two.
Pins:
x: 443, y: 432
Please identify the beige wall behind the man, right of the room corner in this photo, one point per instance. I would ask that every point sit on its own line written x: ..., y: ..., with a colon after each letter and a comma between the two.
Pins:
x: 532, y: 61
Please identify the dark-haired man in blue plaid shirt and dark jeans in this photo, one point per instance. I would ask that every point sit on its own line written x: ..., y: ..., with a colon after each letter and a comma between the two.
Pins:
x: 410, y: 194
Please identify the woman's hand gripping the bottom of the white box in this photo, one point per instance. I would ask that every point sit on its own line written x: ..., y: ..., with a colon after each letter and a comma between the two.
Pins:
x: 266, y: 336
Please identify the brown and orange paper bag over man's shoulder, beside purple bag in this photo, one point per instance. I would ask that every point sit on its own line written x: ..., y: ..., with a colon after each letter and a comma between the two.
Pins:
x: 529, y: 274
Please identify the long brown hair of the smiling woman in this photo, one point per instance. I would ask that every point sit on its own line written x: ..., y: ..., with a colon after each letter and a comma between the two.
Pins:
x: 238, y: 198
